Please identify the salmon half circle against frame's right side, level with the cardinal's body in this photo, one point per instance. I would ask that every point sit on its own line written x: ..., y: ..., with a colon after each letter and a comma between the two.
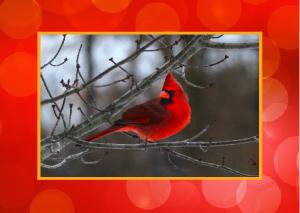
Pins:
x: 275, y: 99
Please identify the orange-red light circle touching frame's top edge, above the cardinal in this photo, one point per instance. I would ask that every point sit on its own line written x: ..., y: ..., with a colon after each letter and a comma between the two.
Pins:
x: 157, y: 17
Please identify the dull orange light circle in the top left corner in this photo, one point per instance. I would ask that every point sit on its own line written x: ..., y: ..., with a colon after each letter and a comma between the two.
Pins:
x: 20, y: 19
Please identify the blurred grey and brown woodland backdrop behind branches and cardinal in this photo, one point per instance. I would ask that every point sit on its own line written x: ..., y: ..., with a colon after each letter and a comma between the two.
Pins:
x: 232, y: 102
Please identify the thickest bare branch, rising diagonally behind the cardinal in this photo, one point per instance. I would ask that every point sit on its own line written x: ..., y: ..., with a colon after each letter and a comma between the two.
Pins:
x: 120, y: 104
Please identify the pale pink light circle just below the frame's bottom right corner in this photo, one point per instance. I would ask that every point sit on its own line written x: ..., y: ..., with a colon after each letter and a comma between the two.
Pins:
x: 261, y: 196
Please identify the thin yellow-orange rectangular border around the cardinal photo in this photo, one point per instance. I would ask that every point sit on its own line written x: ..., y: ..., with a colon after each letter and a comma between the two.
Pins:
x: 39, y: 177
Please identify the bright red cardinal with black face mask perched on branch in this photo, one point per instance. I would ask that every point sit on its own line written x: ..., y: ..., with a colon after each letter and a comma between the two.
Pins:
x: 156, y: 119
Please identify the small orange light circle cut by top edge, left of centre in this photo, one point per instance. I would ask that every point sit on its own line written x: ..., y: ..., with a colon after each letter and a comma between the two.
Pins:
x: 111, y: 6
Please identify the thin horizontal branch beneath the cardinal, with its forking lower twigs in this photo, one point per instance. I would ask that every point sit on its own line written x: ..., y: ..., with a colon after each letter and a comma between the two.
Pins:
x: 164, y: 146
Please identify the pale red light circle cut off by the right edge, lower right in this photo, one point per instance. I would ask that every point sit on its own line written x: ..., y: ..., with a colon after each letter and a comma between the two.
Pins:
x: 285, y: 160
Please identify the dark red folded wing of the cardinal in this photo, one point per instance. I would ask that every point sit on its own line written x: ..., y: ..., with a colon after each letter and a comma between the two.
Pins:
x: 151, y: 112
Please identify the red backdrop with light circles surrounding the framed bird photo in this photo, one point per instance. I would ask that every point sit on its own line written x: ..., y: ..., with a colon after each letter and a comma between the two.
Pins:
x: 20, y: 191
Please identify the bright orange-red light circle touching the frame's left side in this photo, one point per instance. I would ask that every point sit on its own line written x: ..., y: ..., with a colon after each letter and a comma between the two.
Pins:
x: 18, y: 74
